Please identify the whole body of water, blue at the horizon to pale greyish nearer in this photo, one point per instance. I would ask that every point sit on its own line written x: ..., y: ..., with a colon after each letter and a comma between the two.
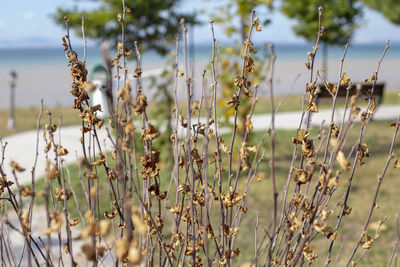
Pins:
x: 44, y: 72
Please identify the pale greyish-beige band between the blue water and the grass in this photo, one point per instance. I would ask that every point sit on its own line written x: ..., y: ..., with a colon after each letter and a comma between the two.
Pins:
x: 52, y: 82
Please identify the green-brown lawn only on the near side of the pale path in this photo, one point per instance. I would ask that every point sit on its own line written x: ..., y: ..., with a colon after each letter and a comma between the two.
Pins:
x: 378, y: 137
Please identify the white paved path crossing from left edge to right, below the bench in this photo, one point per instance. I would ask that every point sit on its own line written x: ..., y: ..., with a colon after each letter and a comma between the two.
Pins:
x: 21, y: 147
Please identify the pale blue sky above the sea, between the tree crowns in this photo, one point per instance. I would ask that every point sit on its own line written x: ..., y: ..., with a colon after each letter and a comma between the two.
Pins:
x: 29, y: 23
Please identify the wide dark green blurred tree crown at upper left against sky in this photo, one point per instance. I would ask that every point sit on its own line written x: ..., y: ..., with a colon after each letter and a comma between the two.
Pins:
x: 153, y: 23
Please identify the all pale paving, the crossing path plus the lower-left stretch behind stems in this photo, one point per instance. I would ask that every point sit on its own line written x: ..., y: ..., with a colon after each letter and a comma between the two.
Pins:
x: 21, y: 148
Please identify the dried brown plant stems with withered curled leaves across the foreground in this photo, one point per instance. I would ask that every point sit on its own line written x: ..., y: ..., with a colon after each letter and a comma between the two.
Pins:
x: 192, y: 216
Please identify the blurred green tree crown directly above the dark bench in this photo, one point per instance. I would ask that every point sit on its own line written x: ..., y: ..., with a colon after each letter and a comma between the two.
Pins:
x: 339, y: 18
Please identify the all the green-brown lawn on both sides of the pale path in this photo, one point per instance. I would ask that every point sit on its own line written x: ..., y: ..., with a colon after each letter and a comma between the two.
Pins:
x: 378, y: 137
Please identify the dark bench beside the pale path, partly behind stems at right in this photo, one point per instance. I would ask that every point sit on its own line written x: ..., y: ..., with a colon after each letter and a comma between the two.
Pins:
x: 325, y: 96
